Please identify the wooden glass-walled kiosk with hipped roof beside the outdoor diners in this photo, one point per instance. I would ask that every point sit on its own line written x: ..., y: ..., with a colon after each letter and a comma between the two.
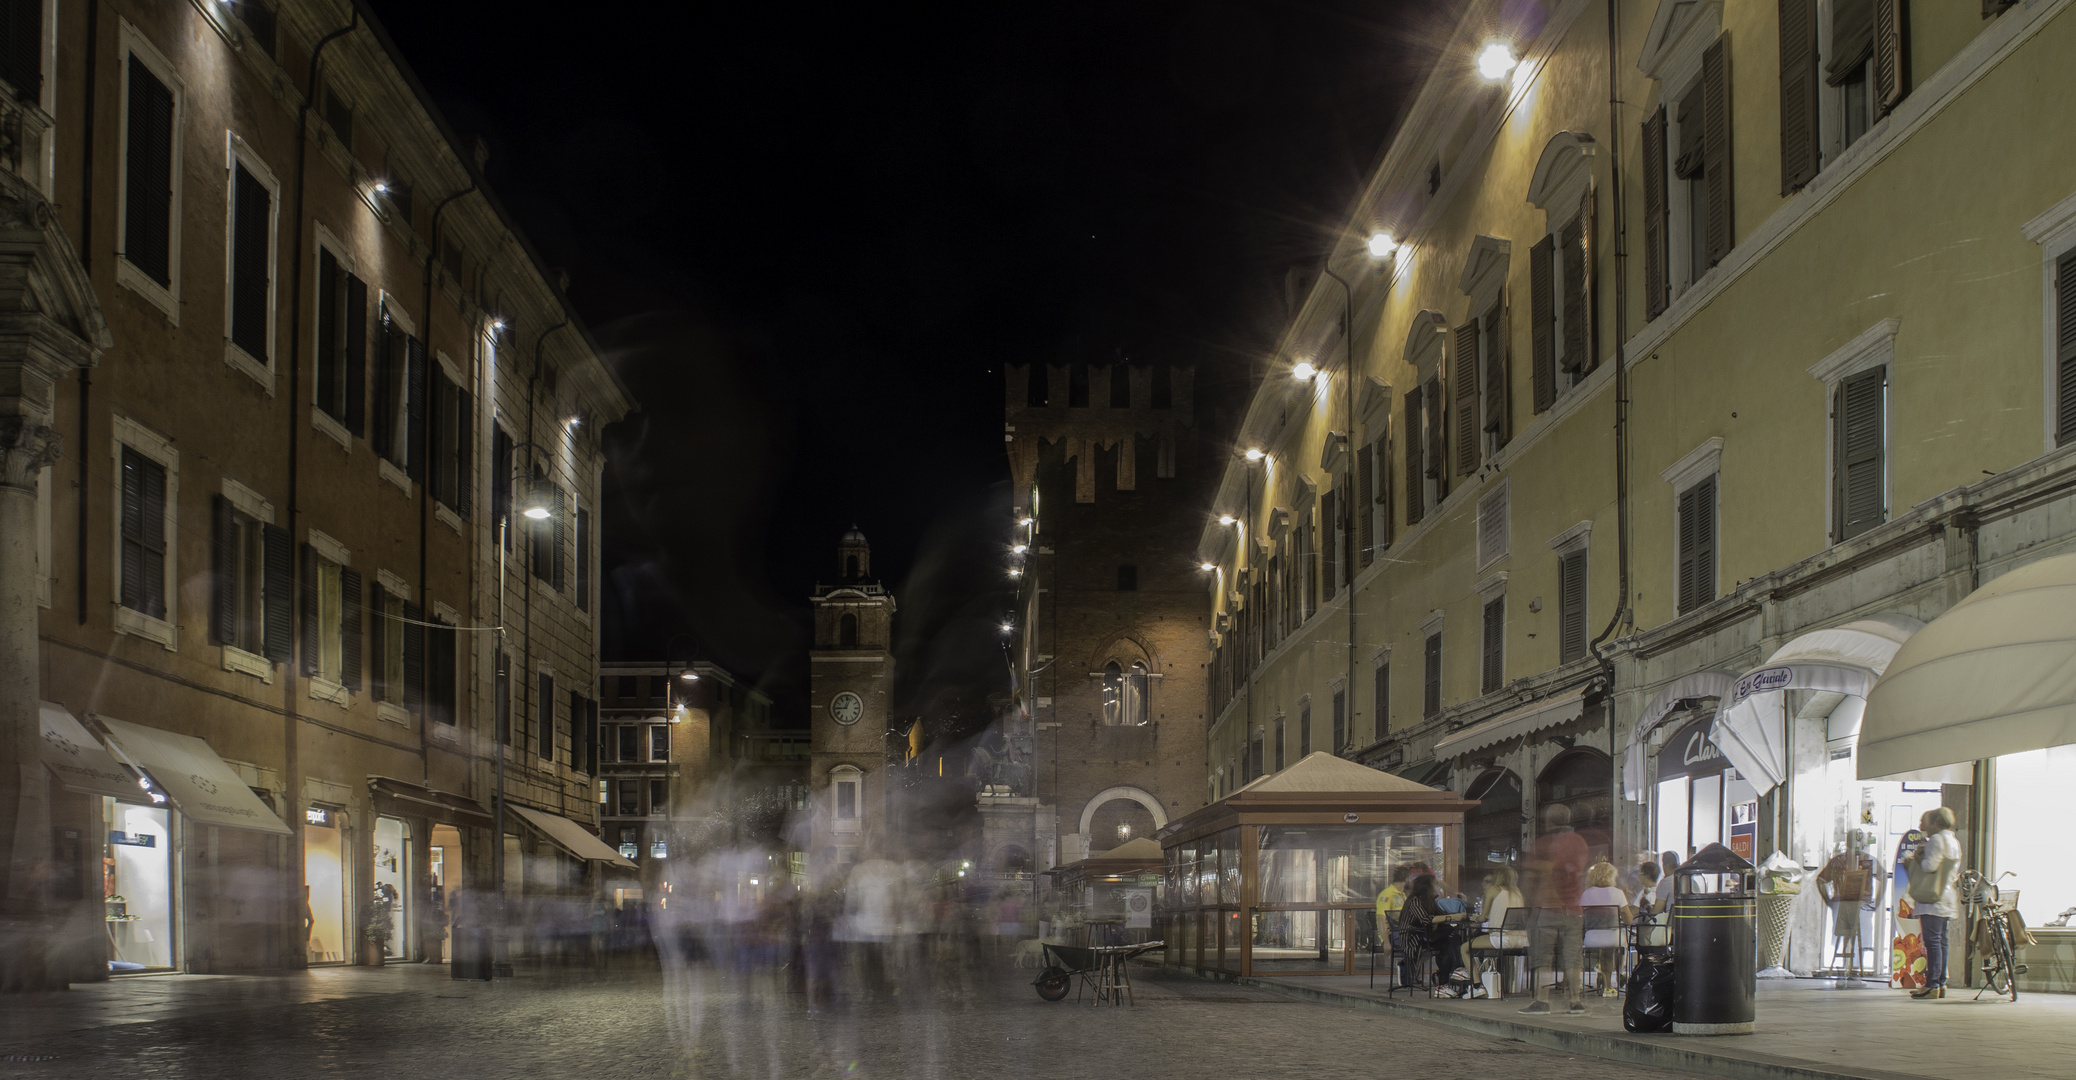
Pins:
x: 1282, y: 877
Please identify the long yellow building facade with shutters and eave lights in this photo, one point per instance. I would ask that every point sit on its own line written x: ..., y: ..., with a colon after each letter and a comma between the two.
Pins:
x: 1759, y: 367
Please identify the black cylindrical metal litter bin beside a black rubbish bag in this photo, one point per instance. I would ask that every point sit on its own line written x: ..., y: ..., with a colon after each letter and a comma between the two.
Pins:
x: 1716, y: 925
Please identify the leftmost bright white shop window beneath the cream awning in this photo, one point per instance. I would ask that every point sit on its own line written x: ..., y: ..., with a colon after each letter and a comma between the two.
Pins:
x: 138, y: 888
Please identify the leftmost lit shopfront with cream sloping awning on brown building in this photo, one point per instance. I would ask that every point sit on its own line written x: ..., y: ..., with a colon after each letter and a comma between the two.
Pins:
x: 182, y: 796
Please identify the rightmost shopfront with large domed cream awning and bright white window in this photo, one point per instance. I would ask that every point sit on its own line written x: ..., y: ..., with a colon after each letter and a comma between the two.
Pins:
x: 1986, y: 688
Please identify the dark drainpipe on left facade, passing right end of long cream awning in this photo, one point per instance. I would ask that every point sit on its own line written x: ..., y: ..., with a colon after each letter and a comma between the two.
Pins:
x: 292, y: 759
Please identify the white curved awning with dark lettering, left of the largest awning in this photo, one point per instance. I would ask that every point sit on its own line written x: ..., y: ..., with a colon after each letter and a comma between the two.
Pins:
x: 1753, y: 724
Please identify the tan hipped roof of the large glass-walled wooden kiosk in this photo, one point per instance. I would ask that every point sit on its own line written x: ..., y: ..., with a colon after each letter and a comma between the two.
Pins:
x: 1323, y: 788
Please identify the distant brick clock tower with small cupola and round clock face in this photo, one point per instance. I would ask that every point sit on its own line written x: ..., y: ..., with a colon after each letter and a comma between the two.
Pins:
x: 850, y: 693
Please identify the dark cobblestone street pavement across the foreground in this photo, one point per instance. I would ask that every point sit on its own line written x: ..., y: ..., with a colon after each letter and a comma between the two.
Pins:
x: 703, y: 1023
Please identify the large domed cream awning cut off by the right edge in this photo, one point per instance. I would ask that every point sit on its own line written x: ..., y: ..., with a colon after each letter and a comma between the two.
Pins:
x: 1992, y: 676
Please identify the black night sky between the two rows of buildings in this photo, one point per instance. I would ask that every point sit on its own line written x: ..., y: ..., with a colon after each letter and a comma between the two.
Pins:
x: 813, y: 236
